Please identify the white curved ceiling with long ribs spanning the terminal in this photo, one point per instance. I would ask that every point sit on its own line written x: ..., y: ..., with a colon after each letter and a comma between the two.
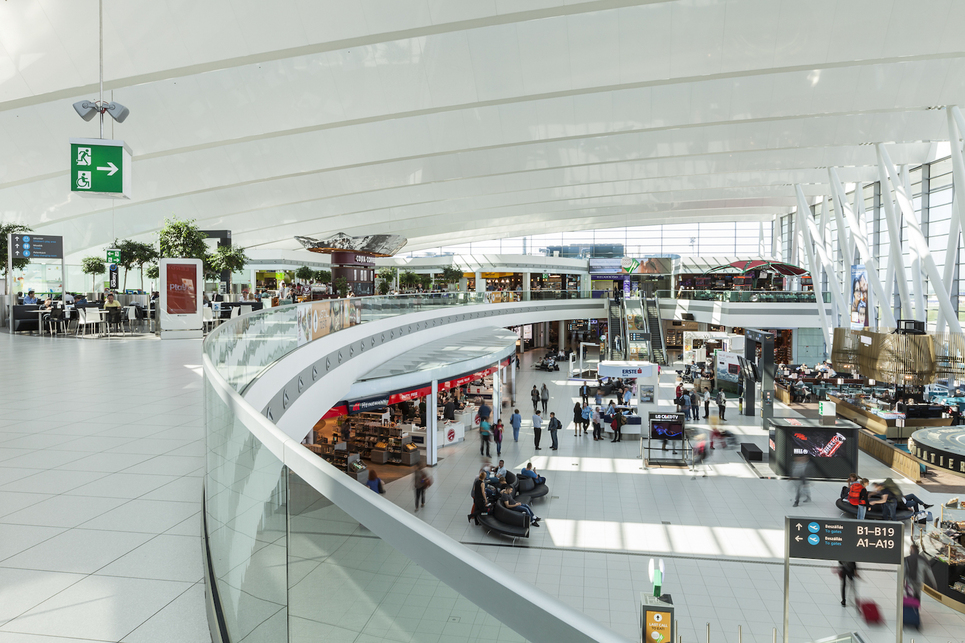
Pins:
x: 457, y: 120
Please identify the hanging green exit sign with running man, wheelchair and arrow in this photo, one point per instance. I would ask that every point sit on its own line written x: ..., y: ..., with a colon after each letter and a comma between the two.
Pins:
x: 100, y: 168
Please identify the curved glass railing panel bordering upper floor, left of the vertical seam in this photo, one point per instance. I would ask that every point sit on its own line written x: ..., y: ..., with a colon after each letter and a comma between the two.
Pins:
x: 245, y: 501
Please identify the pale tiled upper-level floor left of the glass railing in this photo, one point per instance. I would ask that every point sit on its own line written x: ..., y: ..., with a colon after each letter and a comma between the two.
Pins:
x: 101, y: 456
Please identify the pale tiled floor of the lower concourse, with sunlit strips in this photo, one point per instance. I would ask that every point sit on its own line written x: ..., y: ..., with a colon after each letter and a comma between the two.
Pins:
x: 721, y: 536
